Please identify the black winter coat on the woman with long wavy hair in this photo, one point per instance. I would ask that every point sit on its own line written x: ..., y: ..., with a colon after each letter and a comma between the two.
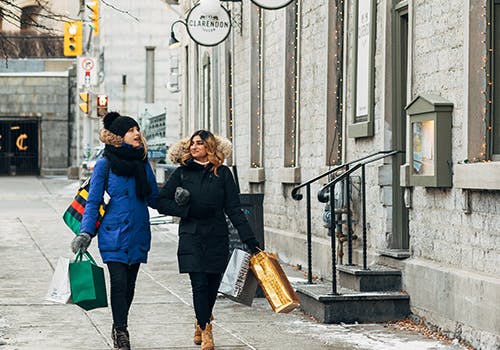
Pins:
x: 203, y: 232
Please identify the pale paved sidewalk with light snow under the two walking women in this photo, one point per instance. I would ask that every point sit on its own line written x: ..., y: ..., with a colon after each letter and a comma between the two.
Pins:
x: 33, y: 236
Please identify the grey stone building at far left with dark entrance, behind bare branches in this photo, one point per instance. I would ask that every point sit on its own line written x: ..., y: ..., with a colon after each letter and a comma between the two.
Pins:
x: 37, y: 90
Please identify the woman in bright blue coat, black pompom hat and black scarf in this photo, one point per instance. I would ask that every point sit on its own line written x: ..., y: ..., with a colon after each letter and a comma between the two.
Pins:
x: 124, y: 236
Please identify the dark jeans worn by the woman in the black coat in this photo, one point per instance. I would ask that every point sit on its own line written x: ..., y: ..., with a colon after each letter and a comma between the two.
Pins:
x: 204, y: 286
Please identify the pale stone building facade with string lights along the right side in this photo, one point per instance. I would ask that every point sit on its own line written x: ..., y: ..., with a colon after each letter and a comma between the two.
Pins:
x: 318, y: 83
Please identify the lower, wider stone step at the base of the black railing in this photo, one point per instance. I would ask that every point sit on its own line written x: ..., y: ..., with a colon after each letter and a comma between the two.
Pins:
x: 350, y: 306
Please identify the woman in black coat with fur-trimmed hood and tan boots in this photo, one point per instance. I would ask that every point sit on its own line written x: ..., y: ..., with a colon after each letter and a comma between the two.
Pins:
x: 200, y: 191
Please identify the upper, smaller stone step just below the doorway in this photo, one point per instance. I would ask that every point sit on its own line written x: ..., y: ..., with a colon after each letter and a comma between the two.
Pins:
x: 375, y: 278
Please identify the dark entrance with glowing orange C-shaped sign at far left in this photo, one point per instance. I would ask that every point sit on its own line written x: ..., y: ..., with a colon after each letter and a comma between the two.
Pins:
x: 19, y: 147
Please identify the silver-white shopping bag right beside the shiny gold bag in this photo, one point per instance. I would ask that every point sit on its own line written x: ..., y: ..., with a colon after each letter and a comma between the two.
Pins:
x: 238, y: 282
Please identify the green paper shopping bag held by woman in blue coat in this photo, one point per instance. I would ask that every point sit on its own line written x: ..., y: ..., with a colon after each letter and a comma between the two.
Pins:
x: 88, y: 288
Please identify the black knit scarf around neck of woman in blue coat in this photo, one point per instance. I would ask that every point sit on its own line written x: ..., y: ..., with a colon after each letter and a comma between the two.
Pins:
x: 128, y: 162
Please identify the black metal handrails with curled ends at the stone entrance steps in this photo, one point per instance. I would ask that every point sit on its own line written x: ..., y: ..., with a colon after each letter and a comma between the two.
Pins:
x: 322, y: 195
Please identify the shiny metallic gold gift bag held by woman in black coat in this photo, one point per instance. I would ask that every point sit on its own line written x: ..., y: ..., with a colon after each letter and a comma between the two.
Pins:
x: 273, y: 281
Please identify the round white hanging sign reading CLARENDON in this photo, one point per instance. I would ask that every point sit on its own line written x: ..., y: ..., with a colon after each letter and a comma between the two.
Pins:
x: 208, y: 30
